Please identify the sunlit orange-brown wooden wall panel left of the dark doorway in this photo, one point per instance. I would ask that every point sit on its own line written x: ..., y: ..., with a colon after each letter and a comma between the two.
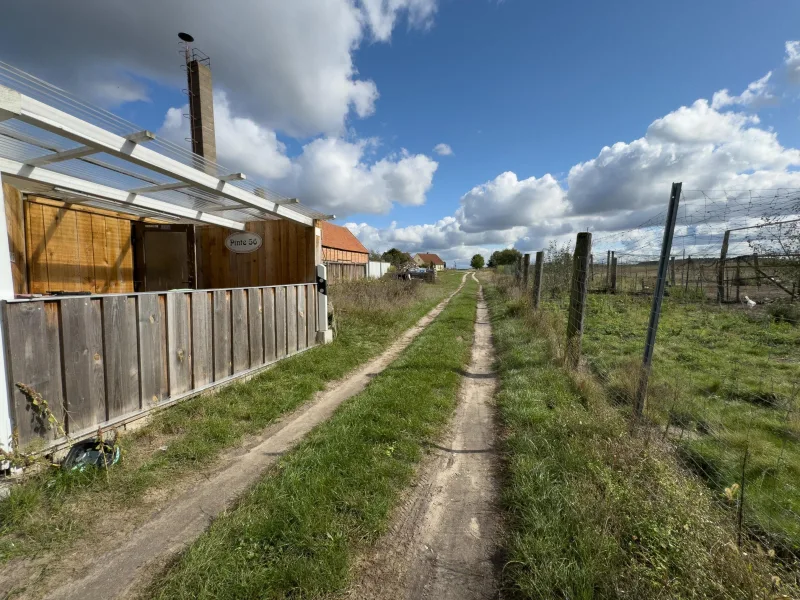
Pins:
x: 76, y: 249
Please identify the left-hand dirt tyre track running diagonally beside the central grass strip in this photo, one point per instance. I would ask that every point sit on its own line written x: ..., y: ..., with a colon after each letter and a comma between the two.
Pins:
x: 123, y: 572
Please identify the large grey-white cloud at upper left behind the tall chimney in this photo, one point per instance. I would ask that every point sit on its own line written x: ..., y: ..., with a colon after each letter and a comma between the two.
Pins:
x: 290, y: 62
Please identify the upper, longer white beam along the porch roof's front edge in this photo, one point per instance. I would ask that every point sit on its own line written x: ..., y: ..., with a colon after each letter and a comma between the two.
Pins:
x: 56, y: 121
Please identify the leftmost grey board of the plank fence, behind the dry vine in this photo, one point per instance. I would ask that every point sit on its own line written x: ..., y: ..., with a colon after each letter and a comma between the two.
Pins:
x: 31, y: 362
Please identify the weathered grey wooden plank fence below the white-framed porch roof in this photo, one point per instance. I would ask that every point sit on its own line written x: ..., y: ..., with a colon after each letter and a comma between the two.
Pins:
x: 101, y: 360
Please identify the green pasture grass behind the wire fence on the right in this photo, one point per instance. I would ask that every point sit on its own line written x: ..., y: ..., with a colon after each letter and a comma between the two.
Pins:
x: 727, y: 379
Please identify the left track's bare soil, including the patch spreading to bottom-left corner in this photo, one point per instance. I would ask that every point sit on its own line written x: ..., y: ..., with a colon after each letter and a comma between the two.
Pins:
x: 125, y: 560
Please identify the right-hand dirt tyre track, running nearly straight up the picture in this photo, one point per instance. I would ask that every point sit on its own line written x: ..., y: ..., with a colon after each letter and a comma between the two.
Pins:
x: 444, y: 540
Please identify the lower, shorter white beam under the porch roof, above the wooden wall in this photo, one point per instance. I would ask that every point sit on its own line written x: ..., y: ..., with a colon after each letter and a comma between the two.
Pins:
x: 122, y: 197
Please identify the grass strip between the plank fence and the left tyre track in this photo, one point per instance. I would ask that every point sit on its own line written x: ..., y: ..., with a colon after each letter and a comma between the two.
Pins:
x: 54, y: 508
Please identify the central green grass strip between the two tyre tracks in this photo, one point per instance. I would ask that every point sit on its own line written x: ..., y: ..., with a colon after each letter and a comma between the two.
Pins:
x: 296, y: 532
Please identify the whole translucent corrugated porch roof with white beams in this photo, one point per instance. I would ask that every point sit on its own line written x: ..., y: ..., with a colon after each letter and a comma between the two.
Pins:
x: 55, y: 140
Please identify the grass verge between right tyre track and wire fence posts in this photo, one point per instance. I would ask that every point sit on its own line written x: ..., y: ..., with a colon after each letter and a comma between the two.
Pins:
x: 592, y: 512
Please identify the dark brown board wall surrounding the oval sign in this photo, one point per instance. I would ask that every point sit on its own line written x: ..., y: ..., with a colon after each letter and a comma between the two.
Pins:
x: 287, y: 255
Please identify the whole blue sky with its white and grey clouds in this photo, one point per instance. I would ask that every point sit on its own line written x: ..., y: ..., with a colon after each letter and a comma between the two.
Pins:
x: 452, y: 126
